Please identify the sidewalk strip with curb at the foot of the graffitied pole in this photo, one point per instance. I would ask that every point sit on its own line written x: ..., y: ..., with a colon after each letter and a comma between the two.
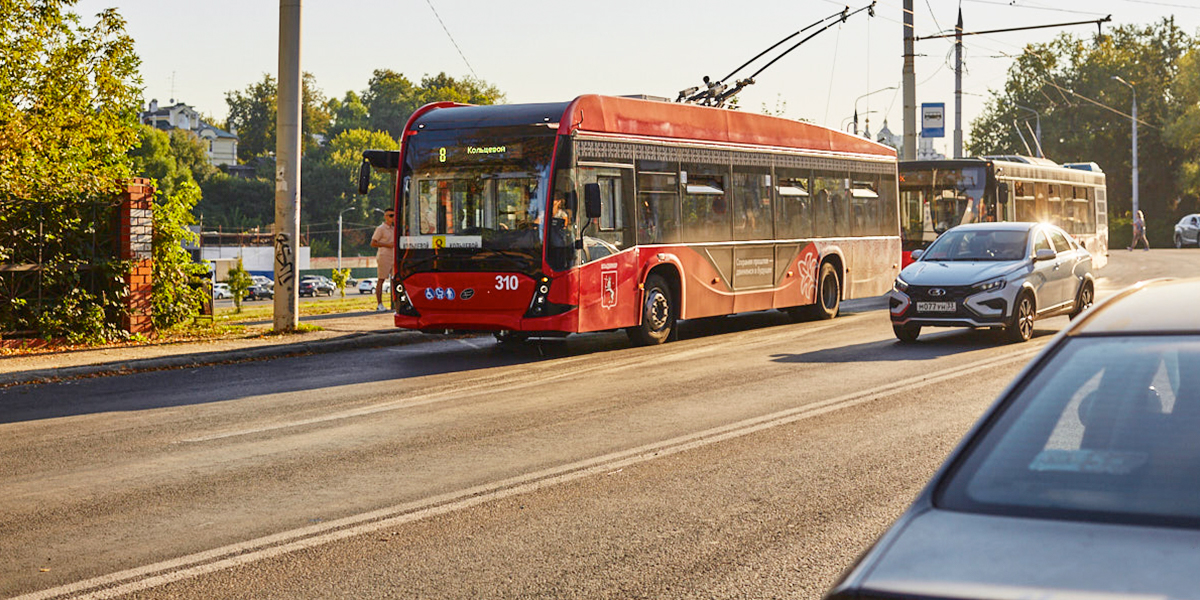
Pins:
x: 340, y: 332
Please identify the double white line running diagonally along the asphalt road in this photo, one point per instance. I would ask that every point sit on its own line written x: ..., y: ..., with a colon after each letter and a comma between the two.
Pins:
x: 195, y: 566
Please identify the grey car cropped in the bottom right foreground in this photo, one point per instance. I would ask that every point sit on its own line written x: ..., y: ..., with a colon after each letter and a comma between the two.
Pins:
x: 1081, y: 482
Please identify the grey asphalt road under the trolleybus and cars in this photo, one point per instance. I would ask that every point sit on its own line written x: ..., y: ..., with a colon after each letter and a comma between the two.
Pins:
x: 755, y: 458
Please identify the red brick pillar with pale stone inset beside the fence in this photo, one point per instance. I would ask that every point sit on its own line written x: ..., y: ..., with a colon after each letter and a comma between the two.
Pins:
x: 135, y: 239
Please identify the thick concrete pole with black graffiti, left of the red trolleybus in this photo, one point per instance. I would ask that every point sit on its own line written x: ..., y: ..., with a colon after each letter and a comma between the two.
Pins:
x: 287, y: 170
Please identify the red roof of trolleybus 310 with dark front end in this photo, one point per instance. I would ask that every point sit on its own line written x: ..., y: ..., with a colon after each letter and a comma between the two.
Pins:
x: 653, y: 119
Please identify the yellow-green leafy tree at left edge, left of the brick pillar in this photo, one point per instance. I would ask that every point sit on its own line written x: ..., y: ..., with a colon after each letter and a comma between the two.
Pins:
x: 69, y: 103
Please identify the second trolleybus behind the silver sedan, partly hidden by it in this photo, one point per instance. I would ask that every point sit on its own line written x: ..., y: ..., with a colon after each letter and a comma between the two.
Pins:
x: 939, y: 195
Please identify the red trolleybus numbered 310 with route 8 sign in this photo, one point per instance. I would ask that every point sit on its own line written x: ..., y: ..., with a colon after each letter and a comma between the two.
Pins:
x: 615, y: 213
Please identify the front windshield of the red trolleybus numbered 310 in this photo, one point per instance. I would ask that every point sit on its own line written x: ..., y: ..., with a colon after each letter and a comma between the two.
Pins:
x: 476, y: 199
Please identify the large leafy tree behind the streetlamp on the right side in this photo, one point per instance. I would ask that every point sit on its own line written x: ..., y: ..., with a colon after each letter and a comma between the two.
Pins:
x: 1085, y: 112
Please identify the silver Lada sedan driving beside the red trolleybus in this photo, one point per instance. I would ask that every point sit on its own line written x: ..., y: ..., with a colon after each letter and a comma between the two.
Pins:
x: 993, y: 275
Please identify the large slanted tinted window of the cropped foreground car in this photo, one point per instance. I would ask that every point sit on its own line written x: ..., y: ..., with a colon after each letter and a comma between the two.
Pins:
x: 1108, y: 430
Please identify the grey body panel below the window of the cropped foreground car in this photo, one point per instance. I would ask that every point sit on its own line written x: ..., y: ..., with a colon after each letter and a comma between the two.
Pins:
x: 951, y: 555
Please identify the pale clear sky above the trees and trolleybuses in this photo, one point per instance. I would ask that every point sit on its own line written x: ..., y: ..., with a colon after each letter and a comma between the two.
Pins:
x: 545, y: 51
